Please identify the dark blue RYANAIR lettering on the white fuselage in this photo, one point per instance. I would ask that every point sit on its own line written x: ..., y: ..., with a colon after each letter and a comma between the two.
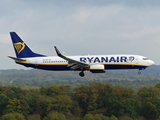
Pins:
x: 106, y: 59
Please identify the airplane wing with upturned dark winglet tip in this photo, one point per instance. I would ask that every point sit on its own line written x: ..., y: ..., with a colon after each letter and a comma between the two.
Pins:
x: 74, y: 63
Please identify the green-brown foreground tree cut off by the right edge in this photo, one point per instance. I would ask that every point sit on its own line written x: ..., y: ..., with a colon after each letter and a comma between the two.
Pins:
x: 150, y: 102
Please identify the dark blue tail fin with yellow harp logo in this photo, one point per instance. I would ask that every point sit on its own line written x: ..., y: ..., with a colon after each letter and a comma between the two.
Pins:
x: 21, y: 49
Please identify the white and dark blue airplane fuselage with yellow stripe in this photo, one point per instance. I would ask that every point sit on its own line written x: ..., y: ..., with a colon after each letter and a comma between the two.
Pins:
x: 109, y: 62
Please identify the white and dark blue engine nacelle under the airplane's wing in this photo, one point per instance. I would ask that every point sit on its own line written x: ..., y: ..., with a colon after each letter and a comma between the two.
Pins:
x: 97, y: 68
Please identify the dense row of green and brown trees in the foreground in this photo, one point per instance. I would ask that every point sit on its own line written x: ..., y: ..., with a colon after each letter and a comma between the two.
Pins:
x: 96, y: 101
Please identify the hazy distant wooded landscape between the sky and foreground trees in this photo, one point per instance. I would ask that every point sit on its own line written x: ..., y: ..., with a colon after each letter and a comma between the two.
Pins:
x: 37, y: 78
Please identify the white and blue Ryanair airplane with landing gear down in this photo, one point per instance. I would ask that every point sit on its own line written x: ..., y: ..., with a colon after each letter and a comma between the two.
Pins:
x: 62, y: 62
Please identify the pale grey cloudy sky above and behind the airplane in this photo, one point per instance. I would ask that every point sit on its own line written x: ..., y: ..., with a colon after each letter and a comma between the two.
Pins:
x: 80, y: 27
